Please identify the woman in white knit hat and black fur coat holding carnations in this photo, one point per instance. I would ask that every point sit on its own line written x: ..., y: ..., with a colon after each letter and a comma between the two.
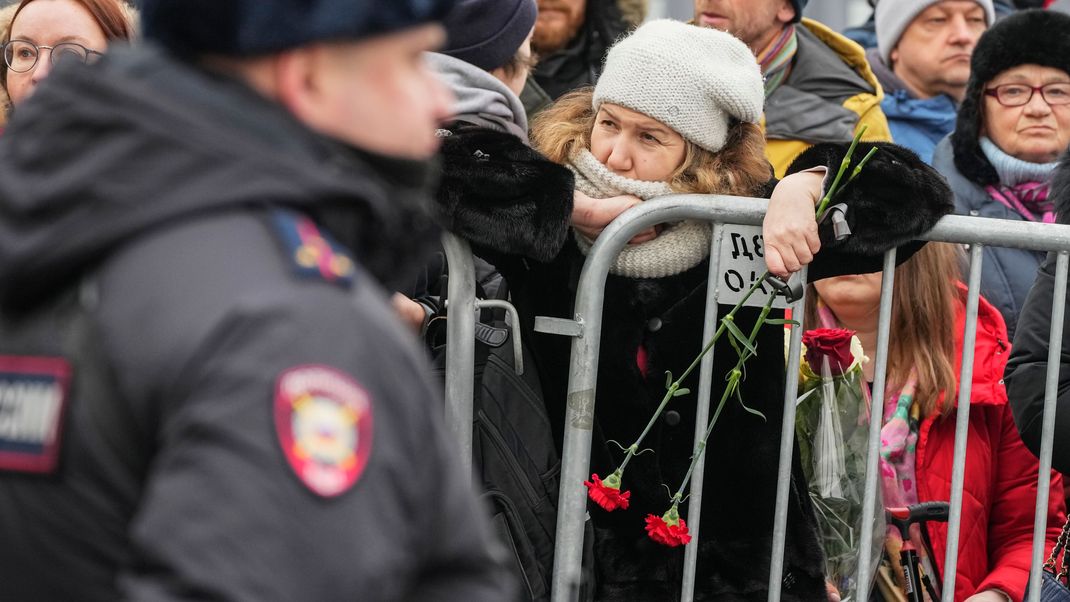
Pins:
x: 677, y: 111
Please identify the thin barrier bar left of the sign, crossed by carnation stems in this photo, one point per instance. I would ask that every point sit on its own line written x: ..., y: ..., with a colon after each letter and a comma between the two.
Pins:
x: 702, y: 416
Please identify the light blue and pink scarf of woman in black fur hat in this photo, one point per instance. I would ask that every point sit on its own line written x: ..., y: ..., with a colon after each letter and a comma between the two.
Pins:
x: 1023, y: 186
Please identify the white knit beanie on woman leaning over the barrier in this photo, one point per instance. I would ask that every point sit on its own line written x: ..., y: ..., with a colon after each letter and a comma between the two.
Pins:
x: 691, y: 79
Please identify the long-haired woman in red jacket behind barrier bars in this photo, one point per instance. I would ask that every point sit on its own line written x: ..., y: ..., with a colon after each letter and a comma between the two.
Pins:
x: 918, y: 438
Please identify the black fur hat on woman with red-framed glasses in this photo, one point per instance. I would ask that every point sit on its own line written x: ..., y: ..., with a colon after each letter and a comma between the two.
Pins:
x: 1041, y: 38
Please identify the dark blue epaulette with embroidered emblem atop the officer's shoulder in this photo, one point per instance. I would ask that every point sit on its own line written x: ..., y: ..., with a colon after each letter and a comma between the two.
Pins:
x: 312, y: 252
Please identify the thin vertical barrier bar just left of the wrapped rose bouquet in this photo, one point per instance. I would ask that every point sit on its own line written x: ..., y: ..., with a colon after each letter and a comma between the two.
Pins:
x: 787, y: 447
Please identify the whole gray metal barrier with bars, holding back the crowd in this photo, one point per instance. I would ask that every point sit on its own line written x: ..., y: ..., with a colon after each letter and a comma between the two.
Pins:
x: 585, y: 328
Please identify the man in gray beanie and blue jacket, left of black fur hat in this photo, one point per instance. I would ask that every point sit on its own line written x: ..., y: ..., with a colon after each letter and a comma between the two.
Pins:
x: 923, y: 63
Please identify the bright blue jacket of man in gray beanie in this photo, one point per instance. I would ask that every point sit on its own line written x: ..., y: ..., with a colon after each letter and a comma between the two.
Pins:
x: 920, y: 125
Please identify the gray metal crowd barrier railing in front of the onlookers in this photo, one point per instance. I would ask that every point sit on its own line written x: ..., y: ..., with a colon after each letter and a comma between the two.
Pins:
x: 586, y: 331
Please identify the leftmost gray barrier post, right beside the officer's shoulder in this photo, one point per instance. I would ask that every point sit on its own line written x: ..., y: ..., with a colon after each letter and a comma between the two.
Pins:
x: 461, y: 341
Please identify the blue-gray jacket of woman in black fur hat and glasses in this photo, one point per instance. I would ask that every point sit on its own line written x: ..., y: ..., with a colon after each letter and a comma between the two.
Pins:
x: 1006, y: 274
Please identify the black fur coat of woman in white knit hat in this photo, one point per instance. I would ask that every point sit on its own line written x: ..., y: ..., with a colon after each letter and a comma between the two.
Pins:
x: 897, y: 198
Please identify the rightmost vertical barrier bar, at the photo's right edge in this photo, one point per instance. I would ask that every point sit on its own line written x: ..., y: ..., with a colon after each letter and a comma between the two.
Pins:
x: 1048, y: 428
